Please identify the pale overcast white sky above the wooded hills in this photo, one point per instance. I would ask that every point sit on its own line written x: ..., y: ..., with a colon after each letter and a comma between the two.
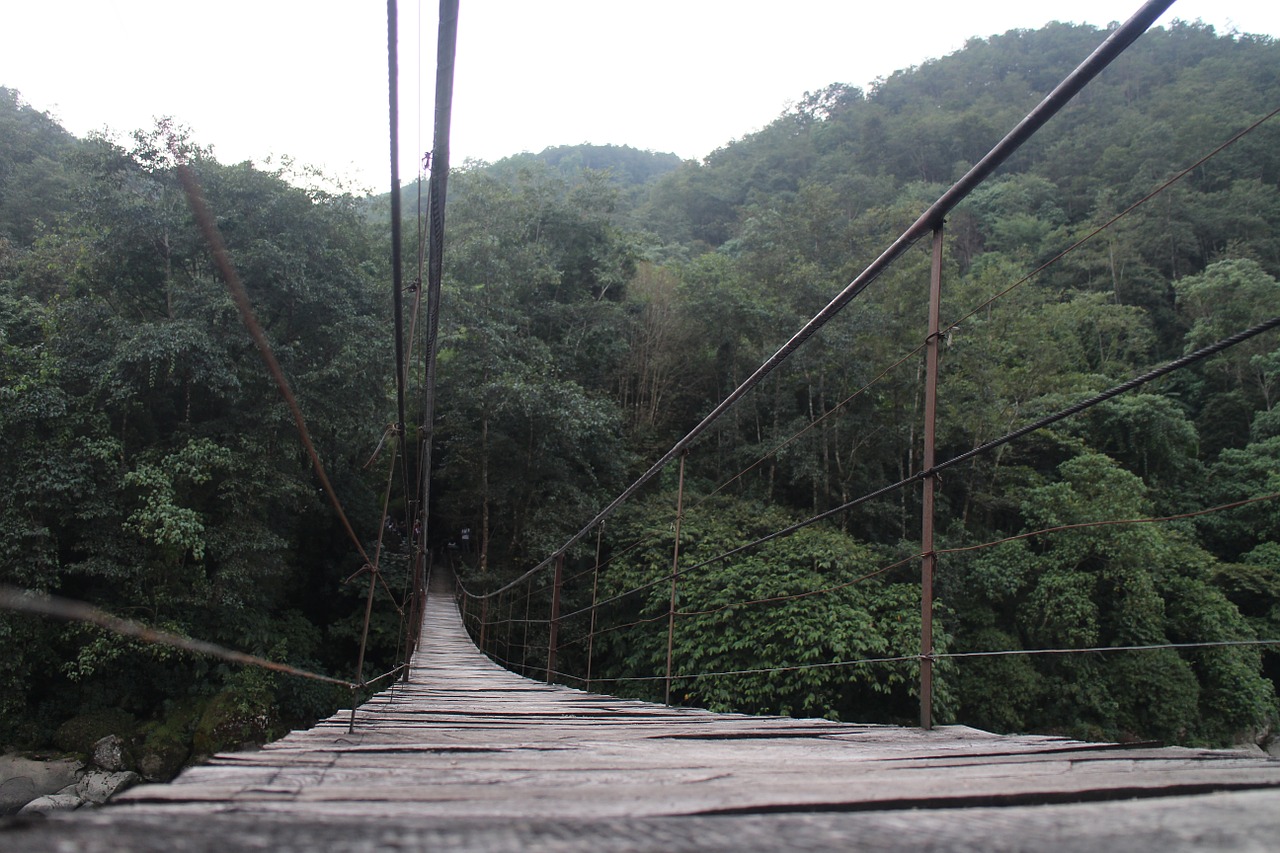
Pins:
x: 308, y: 79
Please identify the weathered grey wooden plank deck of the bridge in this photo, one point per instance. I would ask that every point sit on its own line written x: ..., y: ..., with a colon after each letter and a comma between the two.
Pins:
x: 469, y: 756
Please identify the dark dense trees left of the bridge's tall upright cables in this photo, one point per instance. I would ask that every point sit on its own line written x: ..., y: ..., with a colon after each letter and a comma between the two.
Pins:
x: 149, y: 464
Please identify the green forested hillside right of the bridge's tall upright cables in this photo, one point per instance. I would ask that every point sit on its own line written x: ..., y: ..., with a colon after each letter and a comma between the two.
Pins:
x: 738, y: 250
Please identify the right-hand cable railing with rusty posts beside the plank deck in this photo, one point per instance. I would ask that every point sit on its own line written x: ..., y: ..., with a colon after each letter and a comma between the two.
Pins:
x: 550, y: 627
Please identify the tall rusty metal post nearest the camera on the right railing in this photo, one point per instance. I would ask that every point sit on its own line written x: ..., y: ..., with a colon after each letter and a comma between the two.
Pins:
x: 929, y: 485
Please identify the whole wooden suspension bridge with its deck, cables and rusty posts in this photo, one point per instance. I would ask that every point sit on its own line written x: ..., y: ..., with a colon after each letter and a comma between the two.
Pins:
x: 465, y: 754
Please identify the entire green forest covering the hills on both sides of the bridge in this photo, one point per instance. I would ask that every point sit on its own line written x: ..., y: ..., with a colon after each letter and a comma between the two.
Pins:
x: 598, y: 303
